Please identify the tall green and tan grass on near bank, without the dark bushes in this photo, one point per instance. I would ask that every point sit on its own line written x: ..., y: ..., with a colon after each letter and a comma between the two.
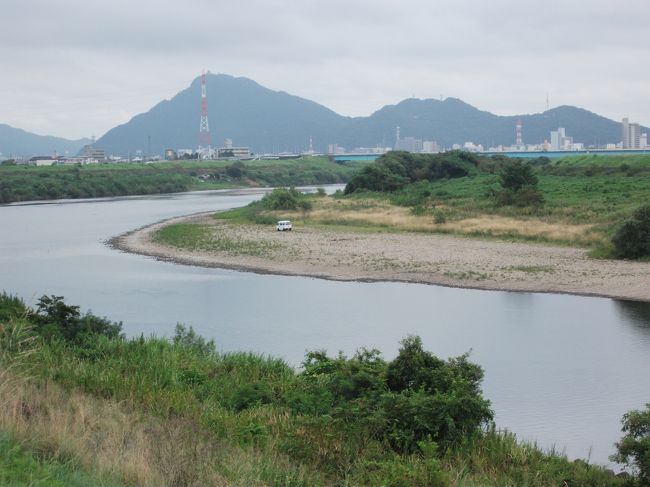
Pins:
x: 158, y: 412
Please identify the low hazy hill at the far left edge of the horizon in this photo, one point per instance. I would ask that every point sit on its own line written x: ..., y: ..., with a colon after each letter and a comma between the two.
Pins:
x: 17, y: 142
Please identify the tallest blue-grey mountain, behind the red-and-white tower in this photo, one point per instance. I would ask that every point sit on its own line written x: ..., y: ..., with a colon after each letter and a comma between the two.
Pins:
x: 240, y: 109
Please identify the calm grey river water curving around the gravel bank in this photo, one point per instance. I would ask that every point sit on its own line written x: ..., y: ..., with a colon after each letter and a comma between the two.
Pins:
x: 560, y: 369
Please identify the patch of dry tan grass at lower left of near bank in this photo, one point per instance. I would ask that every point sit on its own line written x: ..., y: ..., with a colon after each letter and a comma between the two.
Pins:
x: 102, y: 436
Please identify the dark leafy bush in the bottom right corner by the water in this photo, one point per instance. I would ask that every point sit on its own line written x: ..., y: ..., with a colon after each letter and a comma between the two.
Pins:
x: 634, y: 448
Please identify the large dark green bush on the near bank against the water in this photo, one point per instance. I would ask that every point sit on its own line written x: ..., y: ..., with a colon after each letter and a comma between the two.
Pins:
x: 414, y: 398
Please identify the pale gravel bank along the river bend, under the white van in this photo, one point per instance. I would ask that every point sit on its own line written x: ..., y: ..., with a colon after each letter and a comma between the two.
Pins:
x: 422, y: 258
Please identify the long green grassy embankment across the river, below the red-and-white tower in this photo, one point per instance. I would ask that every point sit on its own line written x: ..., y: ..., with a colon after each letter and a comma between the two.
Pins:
x: 27, y: 183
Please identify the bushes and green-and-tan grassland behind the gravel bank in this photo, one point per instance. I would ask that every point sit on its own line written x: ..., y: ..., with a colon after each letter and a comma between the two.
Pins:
x: 595, y: 202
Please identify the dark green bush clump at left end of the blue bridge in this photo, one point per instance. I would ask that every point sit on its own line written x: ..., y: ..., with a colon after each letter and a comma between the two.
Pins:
x: 394, y: 170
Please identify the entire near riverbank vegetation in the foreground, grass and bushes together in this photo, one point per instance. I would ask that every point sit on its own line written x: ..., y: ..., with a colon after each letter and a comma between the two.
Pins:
x: 152, y: 411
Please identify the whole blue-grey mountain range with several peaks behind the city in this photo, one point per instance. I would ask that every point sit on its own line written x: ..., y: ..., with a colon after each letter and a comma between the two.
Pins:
x: 274, y: 121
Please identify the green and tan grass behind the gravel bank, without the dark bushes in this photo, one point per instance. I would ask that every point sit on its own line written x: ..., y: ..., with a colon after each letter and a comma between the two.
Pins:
x: 584, y: 199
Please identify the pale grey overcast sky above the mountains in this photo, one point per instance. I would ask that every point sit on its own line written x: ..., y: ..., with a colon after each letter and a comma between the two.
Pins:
x: 76, y: 68
